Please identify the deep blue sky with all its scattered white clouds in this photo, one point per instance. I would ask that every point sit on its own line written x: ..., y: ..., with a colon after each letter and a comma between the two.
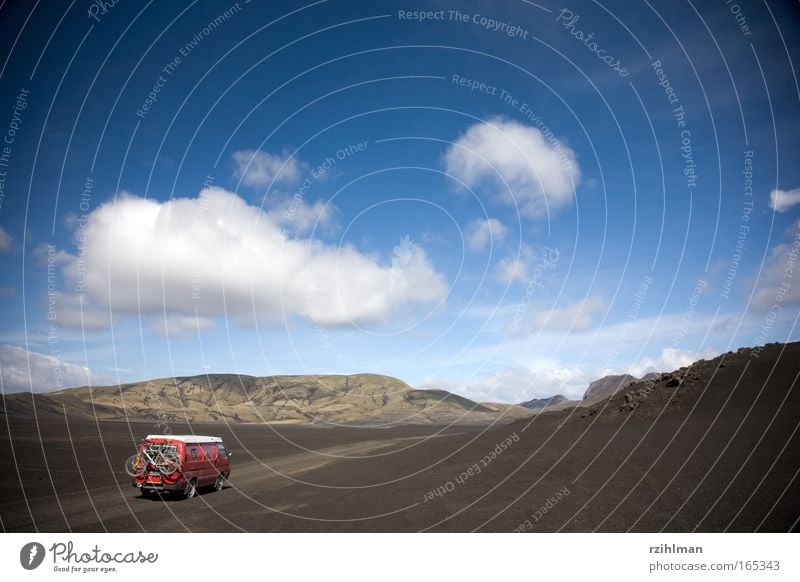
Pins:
x: 506, y: 202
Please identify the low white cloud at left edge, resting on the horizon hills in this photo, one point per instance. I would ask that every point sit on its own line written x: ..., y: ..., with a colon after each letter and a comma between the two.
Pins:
x: 25, y: 371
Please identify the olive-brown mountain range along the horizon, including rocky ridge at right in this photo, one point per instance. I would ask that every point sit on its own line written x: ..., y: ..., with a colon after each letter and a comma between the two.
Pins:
x: 356, y: 399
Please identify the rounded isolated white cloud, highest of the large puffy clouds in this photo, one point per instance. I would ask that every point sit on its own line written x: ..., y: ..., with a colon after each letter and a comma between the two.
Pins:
x: 523, y: 166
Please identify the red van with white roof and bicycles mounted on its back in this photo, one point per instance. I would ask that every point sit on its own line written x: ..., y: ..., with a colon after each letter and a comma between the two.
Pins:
x: 179, y: 463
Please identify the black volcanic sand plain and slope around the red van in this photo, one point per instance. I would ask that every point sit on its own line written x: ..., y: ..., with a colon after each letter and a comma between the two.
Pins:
x: 718, y: 452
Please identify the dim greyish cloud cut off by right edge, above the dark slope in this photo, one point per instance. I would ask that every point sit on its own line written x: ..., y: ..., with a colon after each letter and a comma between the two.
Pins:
x: 779, y: 280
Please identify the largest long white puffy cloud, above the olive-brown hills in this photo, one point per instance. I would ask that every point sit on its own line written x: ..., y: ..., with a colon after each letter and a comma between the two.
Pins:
x: 216, y: 255
